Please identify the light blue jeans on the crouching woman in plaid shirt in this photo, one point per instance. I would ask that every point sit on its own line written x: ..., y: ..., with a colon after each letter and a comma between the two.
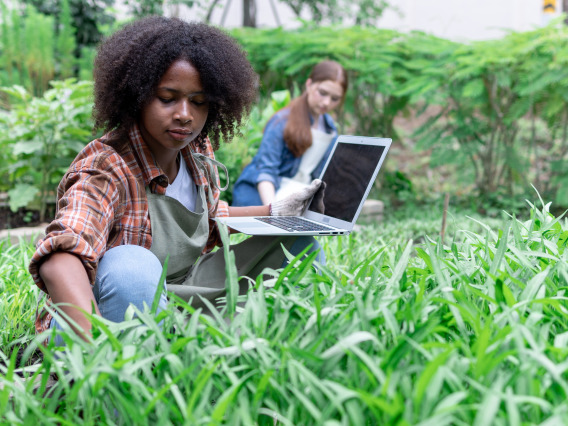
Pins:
x: 130, y: 274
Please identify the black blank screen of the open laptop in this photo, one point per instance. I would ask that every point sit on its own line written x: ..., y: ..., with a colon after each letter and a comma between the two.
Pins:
x: 347, y: 176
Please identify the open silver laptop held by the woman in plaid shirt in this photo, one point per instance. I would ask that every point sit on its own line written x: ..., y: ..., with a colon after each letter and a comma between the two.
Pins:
x: 348, y: 174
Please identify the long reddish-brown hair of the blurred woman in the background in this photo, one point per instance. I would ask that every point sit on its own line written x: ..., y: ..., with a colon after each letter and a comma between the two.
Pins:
x: 297, y: 133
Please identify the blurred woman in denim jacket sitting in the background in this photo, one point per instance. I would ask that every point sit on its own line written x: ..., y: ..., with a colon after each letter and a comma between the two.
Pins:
x: 297, y: 141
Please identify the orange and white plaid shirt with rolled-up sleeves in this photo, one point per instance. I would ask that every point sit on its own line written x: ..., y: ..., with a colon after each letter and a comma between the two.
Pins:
x: 101, y: 202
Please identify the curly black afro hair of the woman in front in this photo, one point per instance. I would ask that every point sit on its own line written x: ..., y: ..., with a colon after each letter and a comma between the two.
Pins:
x: 130, y: 63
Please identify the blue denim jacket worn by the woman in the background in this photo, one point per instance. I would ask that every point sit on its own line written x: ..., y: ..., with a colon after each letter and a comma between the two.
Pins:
x: 274, y: 160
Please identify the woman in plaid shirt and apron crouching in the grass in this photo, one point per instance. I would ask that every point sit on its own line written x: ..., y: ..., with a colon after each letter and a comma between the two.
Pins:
x: 166, y: 93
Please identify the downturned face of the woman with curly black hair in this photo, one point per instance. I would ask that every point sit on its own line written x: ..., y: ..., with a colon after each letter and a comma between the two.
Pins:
x: 177, y: 112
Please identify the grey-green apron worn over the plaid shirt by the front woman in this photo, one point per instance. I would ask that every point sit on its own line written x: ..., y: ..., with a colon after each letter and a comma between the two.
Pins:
x: 182, y: 234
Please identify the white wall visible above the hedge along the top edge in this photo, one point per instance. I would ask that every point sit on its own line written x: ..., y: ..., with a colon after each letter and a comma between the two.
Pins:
x: 459, y: 20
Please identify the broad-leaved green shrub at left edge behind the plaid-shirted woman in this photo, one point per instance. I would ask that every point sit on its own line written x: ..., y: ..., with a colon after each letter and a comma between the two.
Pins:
x: 41, y: 137
